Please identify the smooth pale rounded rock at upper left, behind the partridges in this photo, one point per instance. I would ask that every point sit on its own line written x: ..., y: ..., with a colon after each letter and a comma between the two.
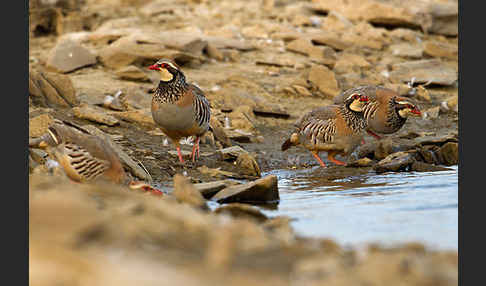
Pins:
x: 68, y: 56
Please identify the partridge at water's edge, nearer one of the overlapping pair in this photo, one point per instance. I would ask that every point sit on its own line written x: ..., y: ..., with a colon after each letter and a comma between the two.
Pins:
x: 336, y: 129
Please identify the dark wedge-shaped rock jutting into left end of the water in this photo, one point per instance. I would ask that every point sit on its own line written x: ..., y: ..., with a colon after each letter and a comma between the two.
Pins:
x: 264, y: 190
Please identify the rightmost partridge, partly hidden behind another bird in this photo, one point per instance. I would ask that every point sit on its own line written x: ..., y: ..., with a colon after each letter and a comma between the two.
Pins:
x: 386, y: 111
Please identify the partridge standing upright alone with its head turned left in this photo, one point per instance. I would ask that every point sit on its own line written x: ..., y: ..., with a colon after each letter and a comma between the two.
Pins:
x: 178, y: 107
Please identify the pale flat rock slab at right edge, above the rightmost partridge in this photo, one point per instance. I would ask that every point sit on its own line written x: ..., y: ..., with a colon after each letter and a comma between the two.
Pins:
x: 424, y: 71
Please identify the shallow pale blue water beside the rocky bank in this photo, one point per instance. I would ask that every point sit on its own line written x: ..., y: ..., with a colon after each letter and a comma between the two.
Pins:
x: 386, y: 208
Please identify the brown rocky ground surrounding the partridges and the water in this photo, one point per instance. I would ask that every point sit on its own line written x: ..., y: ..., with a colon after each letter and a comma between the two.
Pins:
x: 262, y: 64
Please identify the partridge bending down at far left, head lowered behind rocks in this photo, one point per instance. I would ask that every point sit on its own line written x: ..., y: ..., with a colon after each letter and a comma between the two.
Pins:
x: 84, y: 157
